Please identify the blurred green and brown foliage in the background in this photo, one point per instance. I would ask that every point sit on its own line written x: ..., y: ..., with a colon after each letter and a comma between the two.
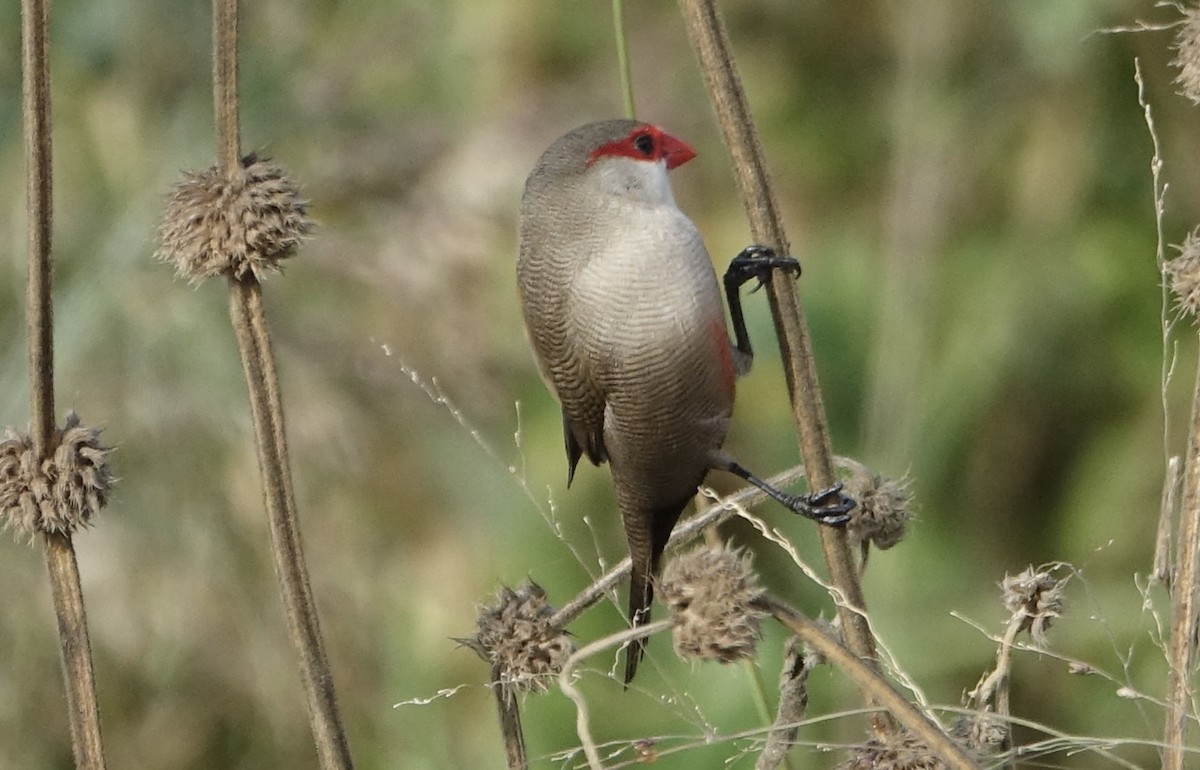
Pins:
x: 970, y: 194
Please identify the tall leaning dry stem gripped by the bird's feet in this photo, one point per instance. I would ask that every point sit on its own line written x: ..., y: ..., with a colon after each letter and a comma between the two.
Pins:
x: 711, y: 41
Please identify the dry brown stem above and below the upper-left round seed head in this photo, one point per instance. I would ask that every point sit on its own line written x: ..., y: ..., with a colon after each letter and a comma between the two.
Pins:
x: 255, y: 346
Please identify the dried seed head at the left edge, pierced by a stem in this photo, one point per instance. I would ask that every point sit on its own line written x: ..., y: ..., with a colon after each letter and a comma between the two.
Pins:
x: 63, y: 492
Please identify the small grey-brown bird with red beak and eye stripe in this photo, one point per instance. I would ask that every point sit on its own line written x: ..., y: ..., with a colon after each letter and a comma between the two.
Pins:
x: 623, y: 311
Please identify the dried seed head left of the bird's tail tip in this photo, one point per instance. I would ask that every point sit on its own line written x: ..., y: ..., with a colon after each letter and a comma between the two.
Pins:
x: 515, y: 636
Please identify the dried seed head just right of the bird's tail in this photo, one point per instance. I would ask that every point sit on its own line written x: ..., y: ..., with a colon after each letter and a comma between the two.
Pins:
x: 712, y: 595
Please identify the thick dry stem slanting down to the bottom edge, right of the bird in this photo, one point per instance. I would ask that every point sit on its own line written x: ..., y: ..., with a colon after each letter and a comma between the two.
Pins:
x: 871, y: 682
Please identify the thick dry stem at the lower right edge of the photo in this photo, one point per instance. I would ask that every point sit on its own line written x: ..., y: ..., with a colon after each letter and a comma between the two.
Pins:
x: 1184, y: 618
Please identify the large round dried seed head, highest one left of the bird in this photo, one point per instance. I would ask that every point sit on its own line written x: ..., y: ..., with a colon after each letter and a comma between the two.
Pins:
x: 238, y: 226
